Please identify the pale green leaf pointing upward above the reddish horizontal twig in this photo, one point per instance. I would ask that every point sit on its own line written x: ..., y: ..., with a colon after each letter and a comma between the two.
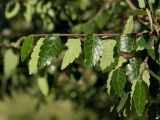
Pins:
x: 129, y: 26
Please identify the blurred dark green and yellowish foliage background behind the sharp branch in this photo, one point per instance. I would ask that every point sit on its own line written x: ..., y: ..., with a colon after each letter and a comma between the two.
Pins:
x: 77, y: 93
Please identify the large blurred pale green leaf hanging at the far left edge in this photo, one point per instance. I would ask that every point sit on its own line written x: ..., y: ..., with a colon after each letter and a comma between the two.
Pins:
x: 10, y: 63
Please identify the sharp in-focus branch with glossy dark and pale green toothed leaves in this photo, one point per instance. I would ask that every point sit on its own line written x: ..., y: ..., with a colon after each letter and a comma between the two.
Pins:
x: 119, y: 55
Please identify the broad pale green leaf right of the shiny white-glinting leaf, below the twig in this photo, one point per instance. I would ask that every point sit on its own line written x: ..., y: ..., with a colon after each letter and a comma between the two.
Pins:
x: 107, y: 53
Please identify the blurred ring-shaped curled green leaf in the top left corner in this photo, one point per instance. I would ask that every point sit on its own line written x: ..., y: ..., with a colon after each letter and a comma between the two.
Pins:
x: 12, y: 9
